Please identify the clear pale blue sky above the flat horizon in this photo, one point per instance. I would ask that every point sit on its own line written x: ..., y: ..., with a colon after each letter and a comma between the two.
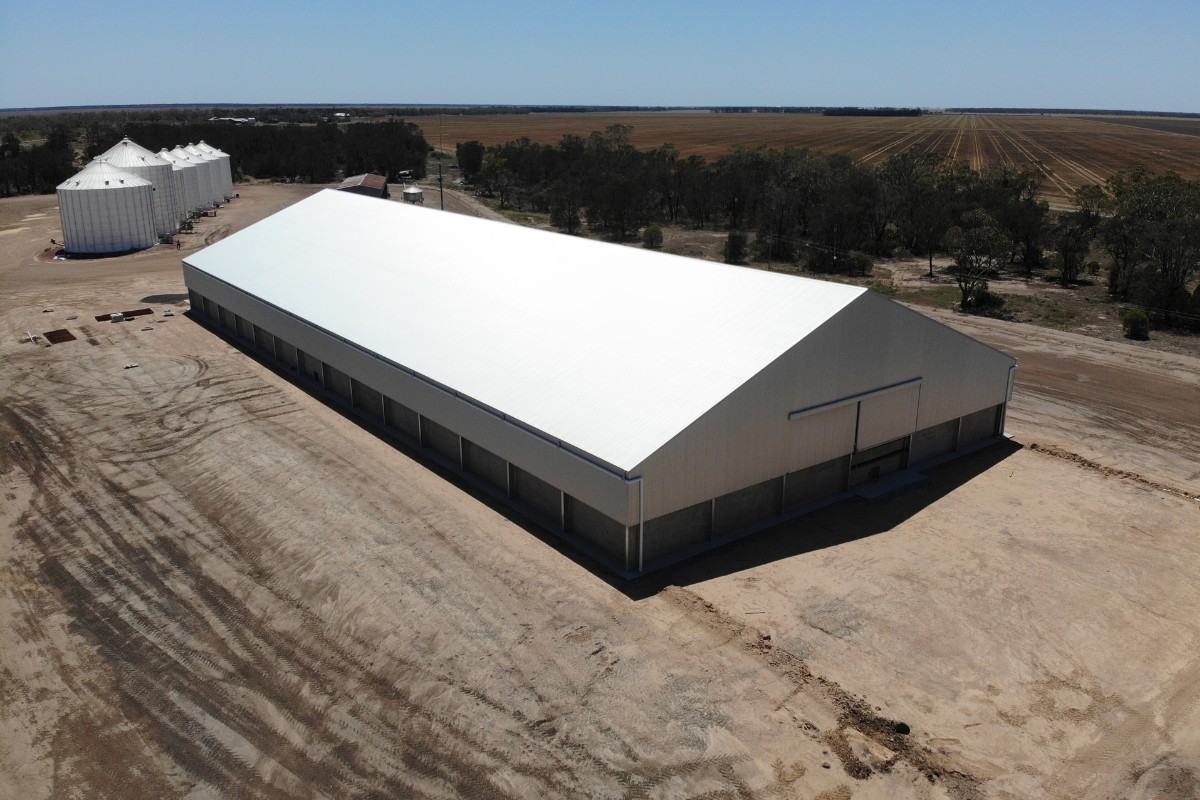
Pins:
x: 909, y: 53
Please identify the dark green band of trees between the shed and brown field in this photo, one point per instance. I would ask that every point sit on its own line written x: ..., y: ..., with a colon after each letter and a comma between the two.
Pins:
x: 833, y: 214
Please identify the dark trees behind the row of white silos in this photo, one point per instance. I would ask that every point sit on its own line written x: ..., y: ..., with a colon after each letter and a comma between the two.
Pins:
x: 315, y: 154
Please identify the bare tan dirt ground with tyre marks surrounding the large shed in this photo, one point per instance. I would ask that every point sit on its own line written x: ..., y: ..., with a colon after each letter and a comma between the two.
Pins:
x: 213, y: 585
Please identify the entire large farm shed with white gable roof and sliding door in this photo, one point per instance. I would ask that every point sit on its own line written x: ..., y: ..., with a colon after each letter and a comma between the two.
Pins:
x: 644, y: 406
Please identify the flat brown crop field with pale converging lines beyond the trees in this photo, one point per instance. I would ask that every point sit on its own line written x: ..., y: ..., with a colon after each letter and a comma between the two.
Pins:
x: 1072, y: 151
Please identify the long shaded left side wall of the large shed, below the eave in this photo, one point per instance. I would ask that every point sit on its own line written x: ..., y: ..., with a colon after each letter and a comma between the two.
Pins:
x: 563, y: 490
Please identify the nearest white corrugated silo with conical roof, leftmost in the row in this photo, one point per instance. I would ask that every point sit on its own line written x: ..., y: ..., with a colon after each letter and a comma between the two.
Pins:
x: 106, y: 210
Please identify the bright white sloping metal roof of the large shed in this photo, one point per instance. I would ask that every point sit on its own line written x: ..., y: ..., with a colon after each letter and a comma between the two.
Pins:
x: 611, y: 350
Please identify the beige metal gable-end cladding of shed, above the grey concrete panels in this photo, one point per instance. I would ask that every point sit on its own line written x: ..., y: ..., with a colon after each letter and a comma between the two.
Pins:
x: 873, y: 345
